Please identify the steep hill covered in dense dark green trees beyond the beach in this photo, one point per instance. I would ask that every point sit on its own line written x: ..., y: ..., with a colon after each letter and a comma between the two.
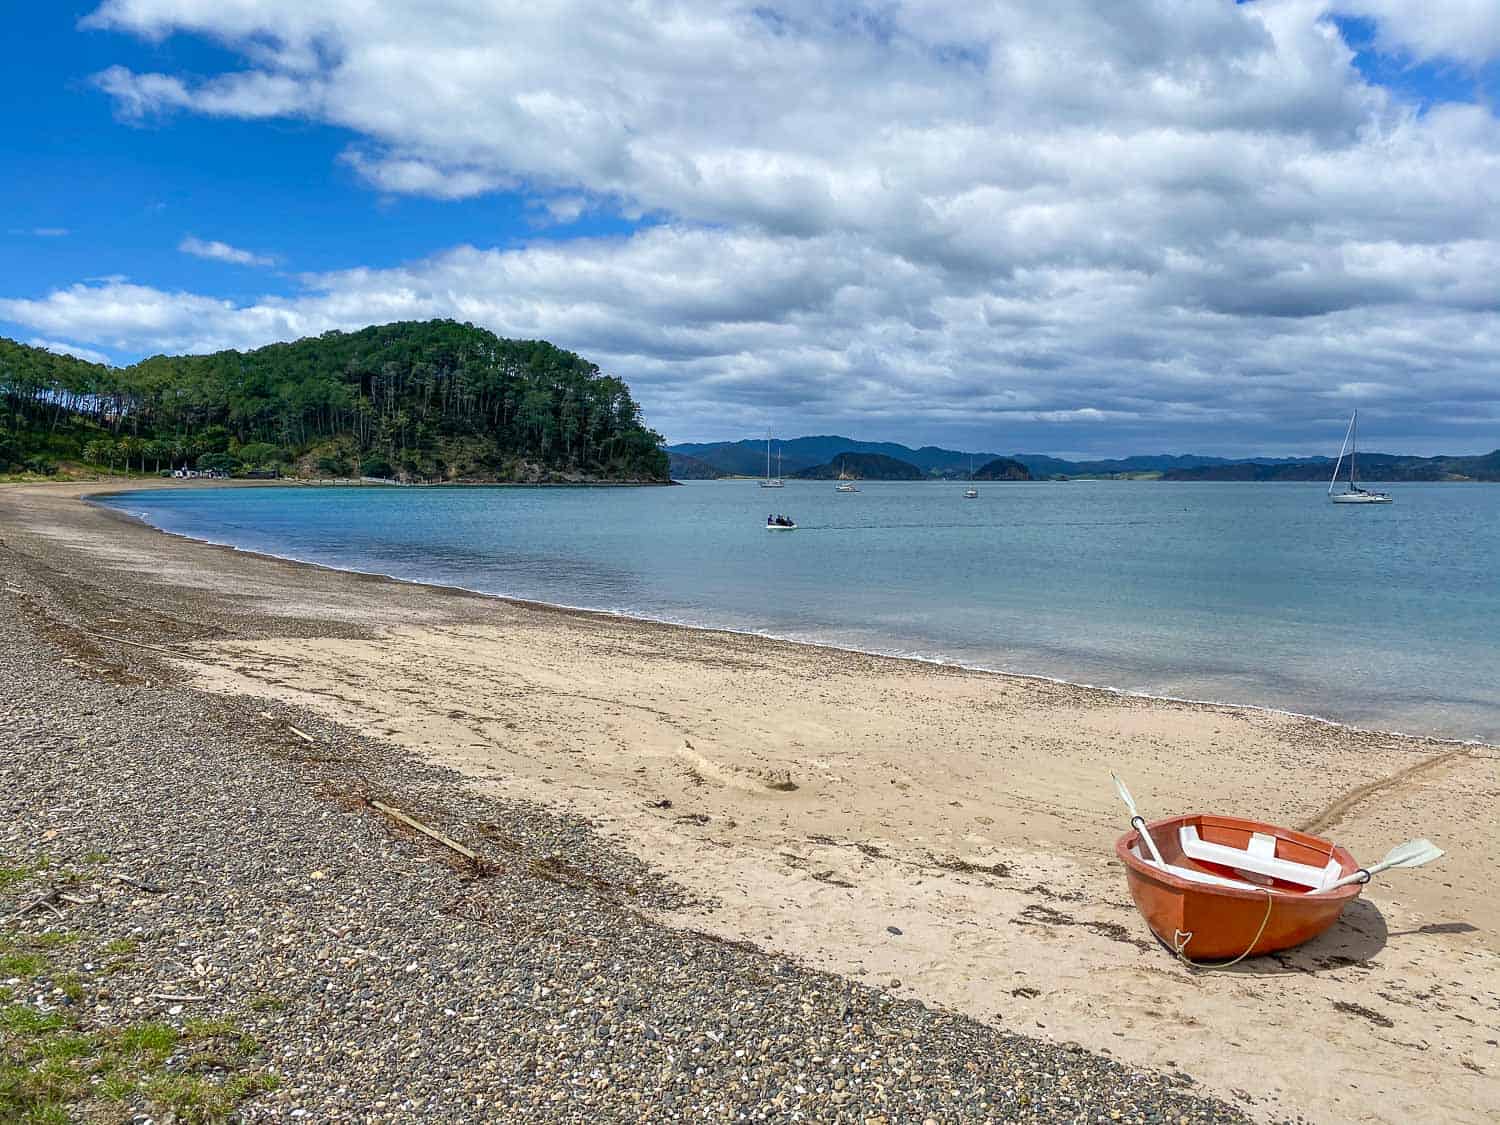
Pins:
x: 416, y: 400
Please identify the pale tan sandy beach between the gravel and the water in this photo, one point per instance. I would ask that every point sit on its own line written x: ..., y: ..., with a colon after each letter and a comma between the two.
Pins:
x: 938, y: 833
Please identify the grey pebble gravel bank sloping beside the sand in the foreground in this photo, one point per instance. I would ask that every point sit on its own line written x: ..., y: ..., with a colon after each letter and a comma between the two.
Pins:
x: 386, y: 977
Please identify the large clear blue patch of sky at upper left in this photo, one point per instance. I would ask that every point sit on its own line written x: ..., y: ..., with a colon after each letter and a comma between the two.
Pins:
x: 130, y: 193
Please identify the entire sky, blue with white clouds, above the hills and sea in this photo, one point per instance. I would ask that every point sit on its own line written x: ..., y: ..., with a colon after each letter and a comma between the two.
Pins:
x: 1027, y: 226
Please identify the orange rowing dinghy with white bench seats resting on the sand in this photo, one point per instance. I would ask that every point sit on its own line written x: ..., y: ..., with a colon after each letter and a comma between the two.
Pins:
x: 1232, y: 889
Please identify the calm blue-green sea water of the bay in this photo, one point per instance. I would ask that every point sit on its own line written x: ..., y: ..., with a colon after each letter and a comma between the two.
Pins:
x: 1259, y: 595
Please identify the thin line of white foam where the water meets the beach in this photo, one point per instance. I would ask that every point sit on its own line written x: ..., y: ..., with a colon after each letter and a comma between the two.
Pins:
x: 796, y: 640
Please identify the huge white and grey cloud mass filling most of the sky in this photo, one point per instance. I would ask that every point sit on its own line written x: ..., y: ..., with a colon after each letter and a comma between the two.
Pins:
x: 1055, y: 217
